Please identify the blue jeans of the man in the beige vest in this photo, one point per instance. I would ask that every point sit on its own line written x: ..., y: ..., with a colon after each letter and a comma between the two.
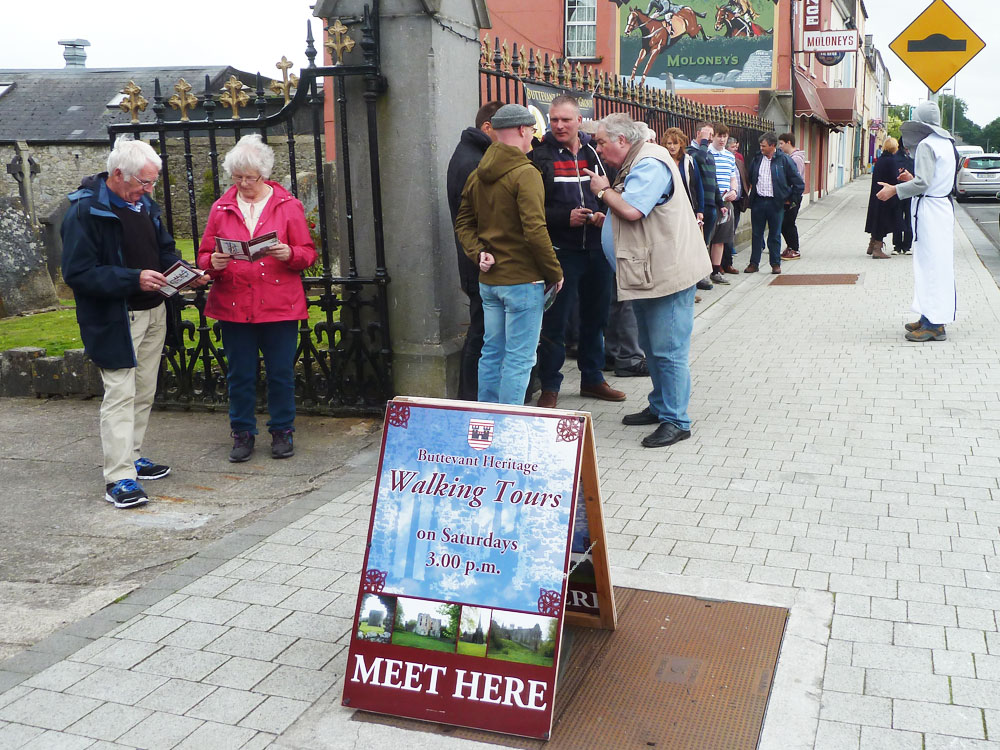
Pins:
x: 665, y: 325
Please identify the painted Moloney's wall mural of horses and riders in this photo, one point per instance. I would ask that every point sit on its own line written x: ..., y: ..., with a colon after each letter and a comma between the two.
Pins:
x: 704, y: 44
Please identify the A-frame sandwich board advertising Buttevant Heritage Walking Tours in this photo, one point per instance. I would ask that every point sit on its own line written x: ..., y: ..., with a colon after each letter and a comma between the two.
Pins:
x: 465, y: 584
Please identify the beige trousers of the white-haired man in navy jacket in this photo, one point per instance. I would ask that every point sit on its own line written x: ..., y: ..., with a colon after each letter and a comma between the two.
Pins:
x: 128, y: 395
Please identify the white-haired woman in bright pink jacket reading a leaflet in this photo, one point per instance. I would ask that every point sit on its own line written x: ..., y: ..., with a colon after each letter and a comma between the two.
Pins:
x: 259, y: 302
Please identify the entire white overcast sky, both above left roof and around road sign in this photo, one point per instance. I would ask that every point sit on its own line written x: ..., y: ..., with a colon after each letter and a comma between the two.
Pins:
x: 252, y: 35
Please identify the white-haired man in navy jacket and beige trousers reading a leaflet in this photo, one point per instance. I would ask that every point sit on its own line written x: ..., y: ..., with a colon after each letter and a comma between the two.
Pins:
x: 115, y: 249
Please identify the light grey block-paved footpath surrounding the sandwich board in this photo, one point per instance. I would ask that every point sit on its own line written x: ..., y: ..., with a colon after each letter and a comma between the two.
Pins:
x: 835, y: 469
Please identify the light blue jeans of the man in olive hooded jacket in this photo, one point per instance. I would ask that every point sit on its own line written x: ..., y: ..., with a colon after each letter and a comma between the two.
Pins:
x: 512, y: 318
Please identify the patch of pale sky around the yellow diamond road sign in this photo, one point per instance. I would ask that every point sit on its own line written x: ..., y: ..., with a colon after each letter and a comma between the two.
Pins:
x: 976, y: 82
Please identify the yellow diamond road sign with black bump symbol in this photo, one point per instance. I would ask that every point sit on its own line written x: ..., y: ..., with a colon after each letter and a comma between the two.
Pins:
x: 937, y: 45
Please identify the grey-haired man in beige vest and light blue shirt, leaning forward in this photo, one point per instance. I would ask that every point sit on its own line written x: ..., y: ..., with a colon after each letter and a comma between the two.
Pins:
x: 655, y: 245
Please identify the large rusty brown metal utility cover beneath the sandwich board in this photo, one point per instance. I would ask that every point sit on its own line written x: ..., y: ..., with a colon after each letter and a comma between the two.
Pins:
x: 679, y: 673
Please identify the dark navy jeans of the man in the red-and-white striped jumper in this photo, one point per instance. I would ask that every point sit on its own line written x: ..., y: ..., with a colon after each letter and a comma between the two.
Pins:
x: 588, y: 277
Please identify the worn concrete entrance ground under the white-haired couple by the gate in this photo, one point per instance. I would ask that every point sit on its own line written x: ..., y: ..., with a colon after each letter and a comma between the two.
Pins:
x: 66, y: 553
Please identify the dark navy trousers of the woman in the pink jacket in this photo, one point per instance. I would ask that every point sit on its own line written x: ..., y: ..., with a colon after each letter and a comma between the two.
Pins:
x: 277, y: 342
